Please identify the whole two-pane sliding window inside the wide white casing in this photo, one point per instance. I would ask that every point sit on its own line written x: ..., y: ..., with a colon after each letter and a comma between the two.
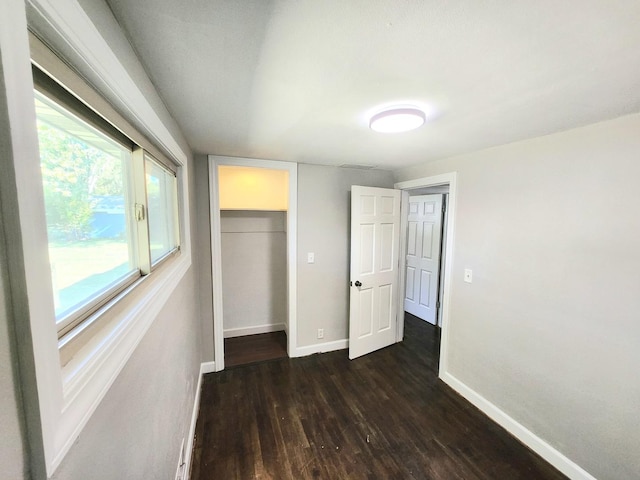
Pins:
x: 100, y: 239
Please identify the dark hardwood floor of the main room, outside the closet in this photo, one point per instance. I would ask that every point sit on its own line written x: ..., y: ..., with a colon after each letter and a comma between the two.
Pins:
x: 385, y: 415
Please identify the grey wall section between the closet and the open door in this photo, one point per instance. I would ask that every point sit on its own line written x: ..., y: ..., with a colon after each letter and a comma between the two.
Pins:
x: 324, y: 206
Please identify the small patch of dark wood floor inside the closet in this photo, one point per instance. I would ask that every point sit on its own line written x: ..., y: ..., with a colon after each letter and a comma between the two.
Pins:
x: 254, y: 348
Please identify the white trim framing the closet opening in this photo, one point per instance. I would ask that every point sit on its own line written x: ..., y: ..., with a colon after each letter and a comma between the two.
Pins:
x: 216, y: 249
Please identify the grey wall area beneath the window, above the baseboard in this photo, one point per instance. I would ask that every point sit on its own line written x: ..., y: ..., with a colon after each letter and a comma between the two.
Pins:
x: 137, y: 430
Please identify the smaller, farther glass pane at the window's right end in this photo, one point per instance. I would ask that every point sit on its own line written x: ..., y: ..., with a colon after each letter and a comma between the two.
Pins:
x: 162, y: 198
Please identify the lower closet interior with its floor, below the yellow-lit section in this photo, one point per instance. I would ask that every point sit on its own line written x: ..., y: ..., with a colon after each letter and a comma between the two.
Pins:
x: 254, y: 285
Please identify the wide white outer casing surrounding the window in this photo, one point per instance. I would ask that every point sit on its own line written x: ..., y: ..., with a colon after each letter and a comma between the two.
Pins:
x: 70, y: 391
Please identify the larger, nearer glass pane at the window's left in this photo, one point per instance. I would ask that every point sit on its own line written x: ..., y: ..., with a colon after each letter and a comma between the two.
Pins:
x: 86, y: 189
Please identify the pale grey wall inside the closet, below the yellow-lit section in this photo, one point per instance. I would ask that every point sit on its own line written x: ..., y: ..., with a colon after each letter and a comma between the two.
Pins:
x: 254, y: 270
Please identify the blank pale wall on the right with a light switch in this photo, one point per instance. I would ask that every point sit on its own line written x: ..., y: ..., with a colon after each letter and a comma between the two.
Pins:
x: 548, y: 331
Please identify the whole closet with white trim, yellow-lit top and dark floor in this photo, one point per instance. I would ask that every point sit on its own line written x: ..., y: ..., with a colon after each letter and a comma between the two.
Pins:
x: 253, y: 243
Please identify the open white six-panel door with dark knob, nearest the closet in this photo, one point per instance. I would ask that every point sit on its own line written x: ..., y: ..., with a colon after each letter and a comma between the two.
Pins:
x: 375, y: 239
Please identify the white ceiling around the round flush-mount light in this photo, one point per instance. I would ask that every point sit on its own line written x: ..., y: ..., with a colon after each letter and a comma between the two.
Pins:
x: 297, y: 79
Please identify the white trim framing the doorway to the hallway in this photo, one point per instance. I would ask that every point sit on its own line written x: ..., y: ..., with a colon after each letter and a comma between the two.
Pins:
x: 443, y: 179
